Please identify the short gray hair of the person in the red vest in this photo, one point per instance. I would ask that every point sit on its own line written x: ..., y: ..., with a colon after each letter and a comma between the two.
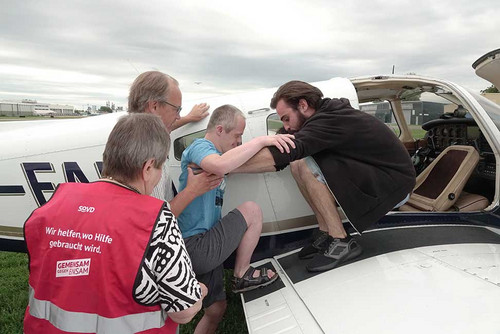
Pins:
x: 135, y: 139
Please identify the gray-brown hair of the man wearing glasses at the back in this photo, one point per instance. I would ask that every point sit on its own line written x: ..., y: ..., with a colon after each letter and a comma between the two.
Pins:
x: 148, y: 86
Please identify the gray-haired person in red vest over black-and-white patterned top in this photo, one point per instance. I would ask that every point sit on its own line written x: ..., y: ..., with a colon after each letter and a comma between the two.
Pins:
x: 104, y: 256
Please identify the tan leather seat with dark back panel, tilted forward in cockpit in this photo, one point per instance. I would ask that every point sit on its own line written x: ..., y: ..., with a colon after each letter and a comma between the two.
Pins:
x: 440, y: 185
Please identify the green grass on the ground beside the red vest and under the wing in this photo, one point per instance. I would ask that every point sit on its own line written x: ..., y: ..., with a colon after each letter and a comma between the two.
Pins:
x: 14, y: 298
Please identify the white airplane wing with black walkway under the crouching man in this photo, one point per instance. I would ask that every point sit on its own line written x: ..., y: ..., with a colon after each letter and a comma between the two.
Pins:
x: 425, y: 279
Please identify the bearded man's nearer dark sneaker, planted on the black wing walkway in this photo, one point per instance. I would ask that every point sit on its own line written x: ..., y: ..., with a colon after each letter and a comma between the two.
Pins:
x: 337, y: 252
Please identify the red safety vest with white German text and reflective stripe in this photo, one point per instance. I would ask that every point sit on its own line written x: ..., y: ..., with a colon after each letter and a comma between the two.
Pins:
x: 86, y: 246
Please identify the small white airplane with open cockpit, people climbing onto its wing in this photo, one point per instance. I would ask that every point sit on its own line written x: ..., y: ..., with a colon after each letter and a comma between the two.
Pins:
x: 434, y: 267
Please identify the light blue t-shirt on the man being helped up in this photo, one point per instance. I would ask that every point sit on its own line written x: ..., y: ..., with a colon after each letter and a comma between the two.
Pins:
x: 205, y: 210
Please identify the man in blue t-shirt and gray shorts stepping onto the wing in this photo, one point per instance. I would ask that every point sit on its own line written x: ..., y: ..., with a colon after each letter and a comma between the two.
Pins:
x: 210, y: 239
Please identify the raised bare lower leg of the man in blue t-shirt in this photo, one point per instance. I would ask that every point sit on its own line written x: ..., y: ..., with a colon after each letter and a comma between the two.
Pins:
x: 253, y: 216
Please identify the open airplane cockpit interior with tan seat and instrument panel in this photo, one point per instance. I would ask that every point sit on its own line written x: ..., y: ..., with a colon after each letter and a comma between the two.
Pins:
x: 453, y: 160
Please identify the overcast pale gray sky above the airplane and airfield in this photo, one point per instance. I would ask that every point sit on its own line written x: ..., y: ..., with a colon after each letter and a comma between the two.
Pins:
x: 89, y: 52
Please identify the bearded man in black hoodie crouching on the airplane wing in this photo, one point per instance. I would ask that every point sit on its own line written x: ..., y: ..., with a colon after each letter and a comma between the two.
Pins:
x: 343, y: 156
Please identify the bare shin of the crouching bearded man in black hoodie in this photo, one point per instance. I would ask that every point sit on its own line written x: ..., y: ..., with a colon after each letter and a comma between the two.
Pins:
x: 320, y: 199
